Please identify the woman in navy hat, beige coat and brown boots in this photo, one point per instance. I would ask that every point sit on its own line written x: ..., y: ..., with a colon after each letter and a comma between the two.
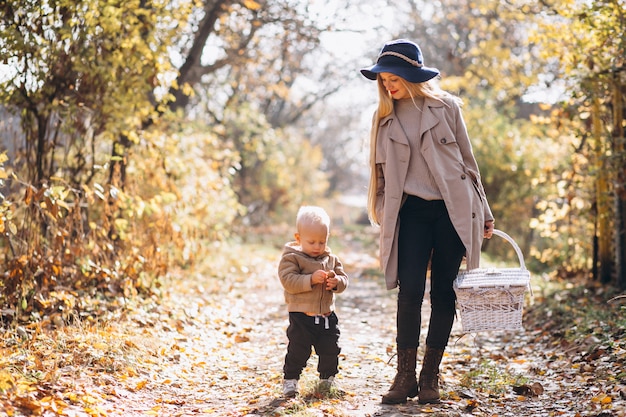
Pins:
x: 425, y: 193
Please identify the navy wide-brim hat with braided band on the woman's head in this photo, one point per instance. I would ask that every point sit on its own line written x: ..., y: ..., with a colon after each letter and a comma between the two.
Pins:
x: 402, y: 58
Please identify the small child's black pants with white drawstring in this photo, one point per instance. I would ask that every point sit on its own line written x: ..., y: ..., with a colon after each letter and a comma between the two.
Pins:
x: 303, y: 333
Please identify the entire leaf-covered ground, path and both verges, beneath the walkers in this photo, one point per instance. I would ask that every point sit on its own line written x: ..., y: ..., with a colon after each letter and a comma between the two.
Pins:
x: 214, y: 344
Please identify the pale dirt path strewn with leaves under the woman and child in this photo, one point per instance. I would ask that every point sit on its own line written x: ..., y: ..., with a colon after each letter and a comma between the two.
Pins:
x: 218, y: 351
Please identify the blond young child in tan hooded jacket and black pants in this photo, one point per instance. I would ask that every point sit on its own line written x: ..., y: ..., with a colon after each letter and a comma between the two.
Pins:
x: 311, y: 275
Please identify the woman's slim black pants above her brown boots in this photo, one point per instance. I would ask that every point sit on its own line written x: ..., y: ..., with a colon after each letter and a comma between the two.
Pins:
x: 426, y: 234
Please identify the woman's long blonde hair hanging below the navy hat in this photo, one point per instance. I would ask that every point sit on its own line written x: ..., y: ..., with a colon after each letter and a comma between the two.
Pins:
x: 429, y: 89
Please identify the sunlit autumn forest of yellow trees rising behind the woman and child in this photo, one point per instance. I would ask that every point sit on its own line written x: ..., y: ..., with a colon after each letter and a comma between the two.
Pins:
x: 141, y: 136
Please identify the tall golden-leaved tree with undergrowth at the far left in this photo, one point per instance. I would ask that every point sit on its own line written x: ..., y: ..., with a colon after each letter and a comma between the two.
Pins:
x: 80, y: 75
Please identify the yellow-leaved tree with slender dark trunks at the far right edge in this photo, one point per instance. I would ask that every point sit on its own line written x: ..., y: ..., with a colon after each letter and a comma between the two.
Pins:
x: 587, y: 44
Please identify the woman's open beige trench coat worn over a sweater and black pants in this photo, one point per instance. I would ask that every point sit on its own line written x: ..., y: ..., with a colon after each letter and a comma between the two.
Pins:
x: 448, y: 152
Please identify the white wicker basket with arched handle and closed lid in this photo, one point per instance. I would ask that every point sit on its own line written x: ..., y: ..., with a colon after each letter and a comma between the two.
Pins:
x: 492, y: 298
